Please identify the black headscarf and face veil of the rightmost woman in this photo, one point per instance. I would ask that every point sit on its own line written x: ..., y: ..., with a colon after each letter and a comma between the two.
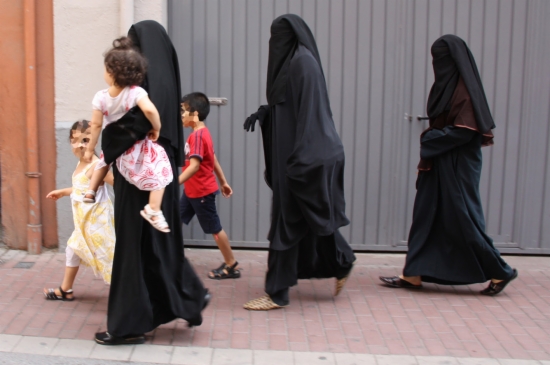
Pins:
x: 452, y: 59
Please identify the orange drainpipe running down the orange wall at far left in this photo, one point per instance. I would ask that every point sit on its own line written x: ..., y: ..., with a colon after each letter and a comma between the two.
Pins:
x: 34, y: 226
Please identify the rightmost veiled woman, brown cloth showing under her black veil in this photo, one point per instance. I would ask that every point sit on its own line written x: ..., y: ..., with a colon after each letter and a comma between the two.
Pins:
x: 447, y: 240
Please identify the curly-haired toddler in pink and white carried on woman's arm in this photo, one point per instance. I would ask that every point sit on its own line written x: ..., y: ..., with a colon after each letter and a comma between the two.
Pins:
x: 145, y: 164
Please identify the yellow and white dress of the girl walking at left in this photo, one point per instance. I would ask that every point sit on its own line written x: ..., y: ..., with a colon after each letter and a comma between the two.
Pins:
x: 93, y: 238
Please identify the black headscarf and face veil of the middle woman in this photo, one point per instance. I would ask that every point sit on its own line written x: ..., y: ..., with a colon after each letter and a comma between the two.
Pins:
x: 286, y: 31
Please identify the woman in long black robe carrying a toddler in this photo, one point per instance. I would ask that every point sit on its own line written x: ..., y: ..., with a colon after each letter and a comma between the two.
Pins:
x: 152, y: 282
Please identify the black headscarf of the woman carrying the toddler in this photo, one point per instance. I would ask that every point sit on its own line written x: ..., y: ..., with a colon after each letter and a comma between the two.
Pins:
x: 162, y: 81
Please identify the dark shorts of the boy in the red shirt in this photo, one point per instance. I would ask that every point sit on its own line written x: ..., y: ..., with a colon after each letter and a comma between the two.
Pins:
x: 204, y: 208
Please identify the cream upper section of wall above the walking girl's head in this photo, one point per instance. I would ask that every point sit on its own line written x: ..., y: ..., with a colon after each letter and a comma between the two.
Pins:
x: 83, y: 31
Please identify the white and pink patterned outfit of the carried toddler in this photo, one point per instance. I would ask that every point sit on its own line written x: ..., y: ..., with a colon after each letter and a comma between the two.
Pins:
x: 145, y: 164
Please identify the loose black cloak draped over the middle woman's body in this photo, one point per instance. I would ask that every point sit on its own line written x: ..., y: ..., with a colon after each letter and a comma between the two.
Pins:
x: 307, y: 166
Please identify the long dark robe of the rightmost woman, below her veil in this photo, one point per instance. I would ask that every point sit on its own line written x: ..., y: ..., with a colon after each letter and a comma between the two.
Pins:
x: 447, y: 240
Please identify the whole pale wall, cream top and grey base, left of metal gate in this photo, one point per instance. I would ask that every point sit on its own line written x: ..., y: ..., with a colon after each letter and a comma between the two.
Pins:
x: 83, y: 31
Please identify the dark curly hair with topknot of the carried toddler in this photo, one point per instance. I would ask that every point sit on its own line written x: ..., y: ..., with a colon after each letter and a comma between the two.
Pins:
x: 125, y: 64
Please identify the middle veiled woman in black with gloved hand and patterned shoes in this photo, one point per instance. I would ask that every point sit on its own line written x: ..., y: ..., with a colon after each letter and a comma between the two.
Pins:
x: 304, y: 167
